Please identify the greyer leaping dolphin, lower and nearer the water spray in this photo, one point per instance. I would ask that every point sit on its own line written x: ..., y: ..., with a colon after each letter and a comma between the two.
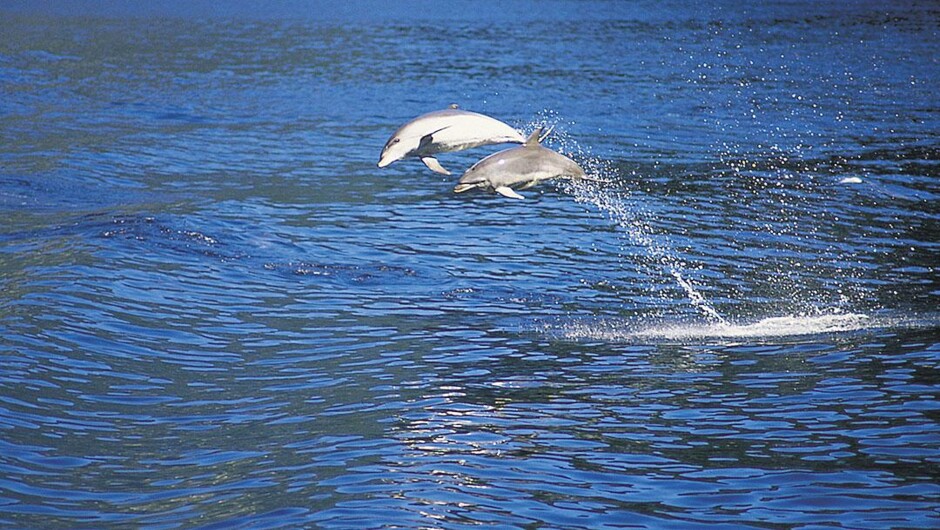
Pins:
x: 520, y: 167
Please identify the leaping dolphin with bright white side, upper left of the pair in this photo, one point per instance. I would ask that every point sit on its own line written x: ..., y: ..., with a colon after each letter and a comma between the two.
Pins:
x: 444, y: 131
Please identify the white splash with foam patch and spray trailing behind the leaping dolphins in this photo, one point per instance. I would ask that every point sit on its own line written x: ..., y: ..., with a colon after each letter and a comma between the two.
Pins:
x: 809, y: 307
